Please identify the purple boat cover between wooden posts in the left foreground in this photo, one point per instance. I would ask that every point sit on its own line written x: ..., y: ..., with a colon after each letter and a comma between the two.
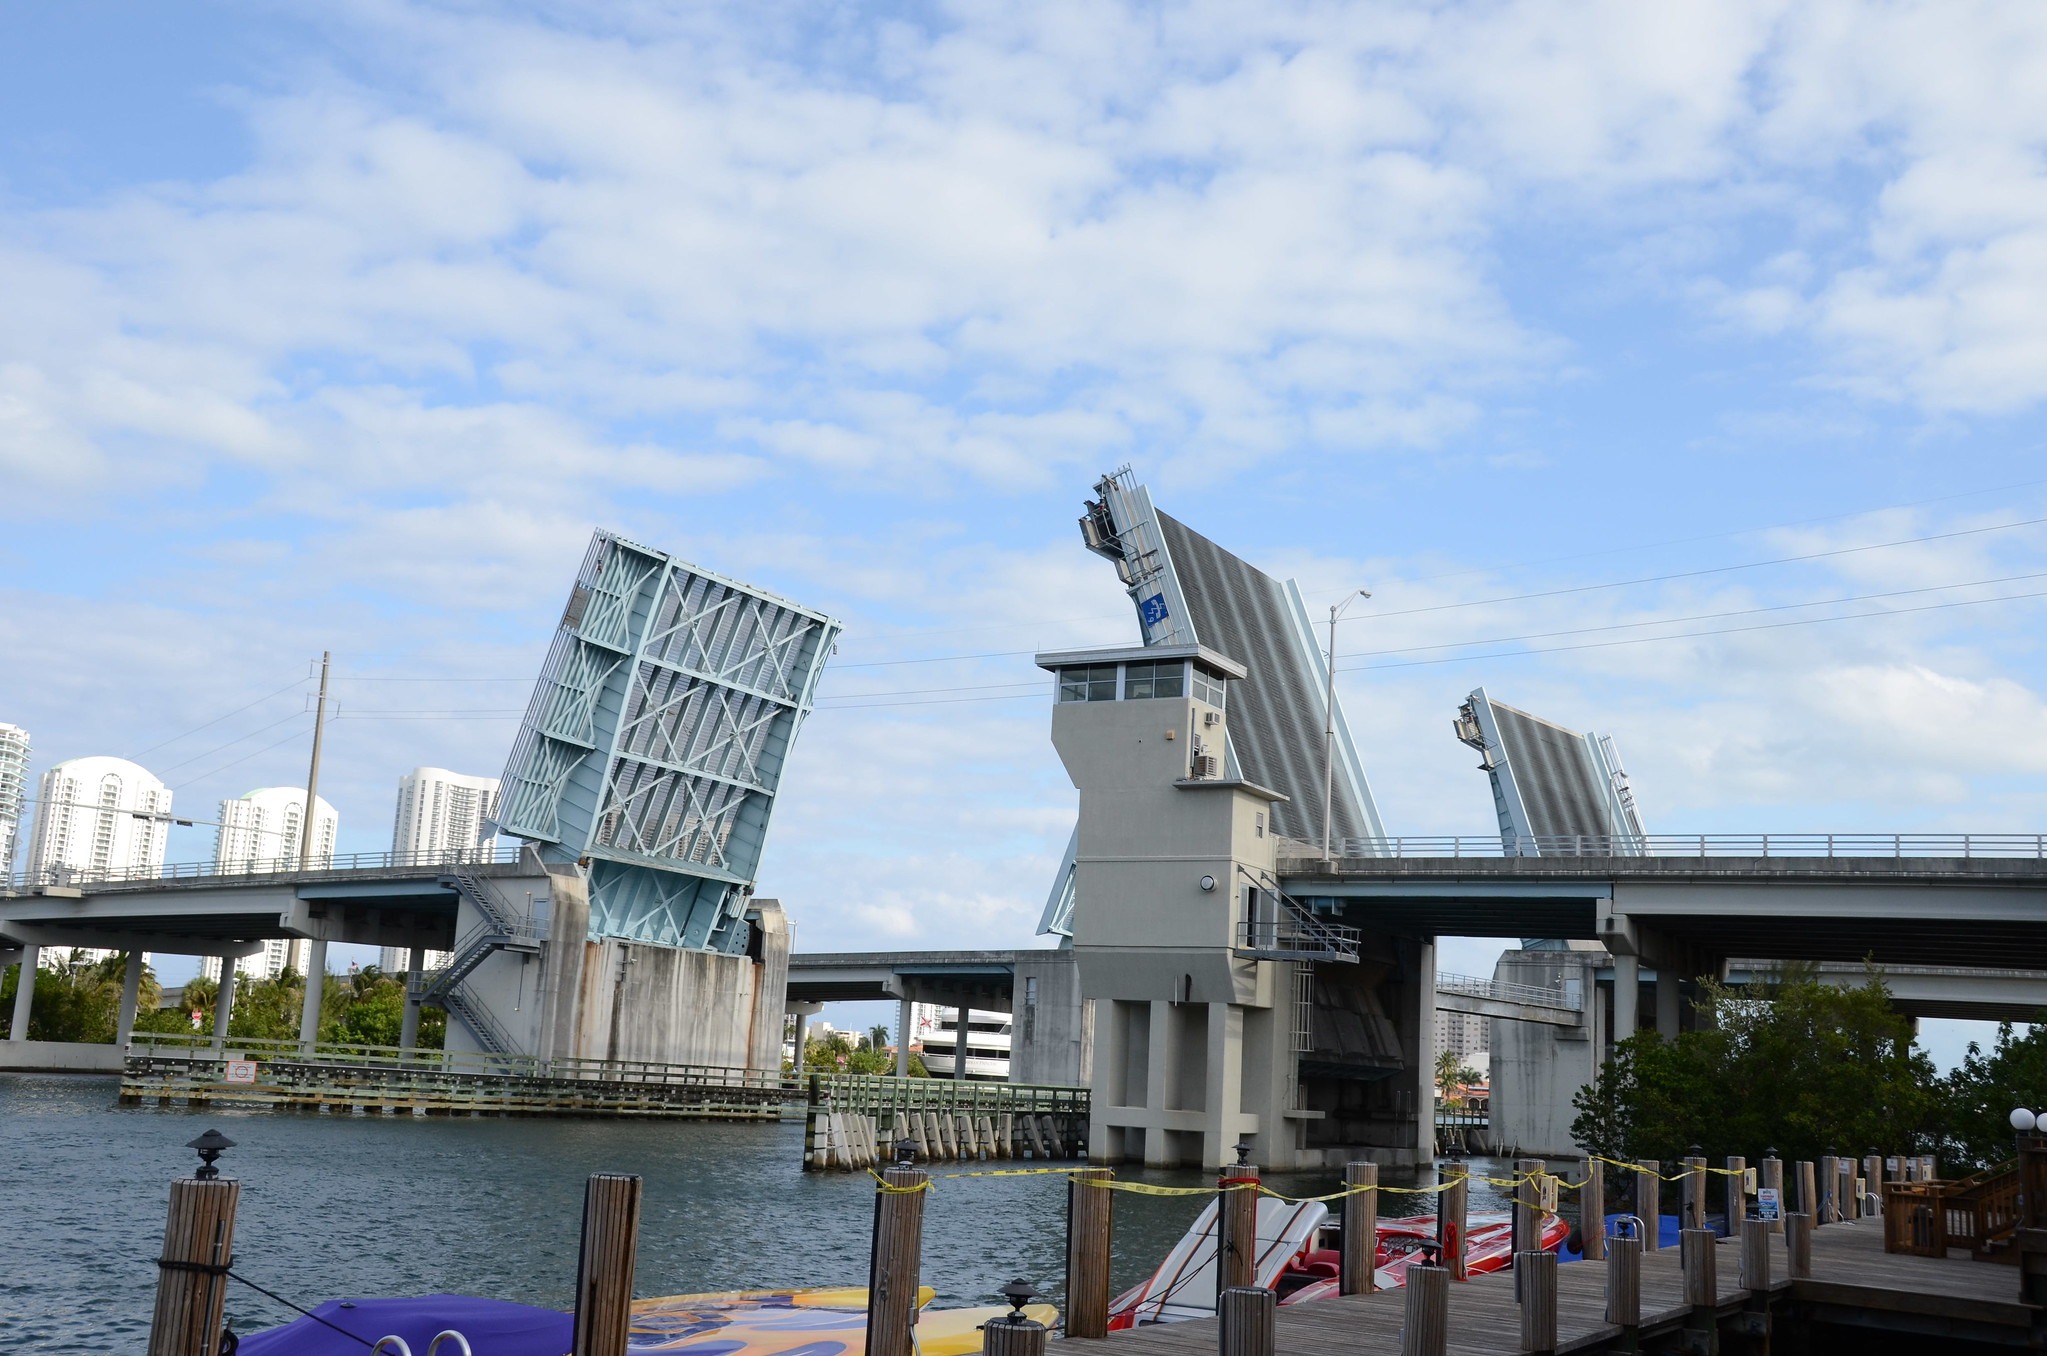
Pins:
x: 494, y: 1328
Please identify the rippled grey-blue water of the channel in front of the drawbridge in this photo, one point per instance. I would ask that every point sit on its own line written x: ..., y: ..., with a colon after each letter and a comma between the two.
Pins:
x: 398, y: 1205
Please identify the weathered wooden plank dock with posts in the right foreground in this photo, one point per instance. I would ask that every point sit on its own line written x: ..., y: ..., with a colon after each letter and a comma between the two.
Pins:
x: 1856, y: 1285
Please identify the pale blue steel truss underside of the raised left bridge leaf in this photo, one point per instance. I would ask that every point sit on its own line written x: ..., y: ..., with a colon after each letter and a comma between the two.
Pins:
x: 656, y: 740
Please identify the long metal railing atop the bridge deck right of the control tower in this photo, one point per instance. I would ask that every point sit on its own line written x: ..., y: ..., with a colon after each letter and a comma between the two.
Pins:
x: 1684, y: 845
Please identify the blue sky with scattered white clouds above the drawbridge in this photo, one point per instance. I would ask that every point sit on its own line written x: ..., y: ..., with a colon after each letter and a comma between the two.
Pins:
x: 1563, y: 329
